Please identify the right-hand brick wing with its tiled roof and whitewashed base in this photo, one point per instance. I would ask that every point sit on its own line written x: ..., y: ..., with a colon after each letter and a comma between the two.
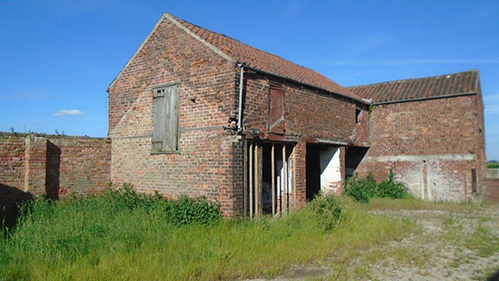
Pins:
x: 430, y: 132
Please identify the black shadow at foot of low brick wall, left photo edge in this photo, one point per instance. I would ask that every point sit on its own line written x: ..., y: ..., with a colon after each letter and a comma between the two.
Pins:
x: 10, y: 198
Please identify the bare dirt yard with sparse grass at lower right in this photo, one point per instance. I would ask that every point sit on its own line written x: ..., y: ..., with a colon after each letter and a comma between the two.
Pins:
x: 450, y: 244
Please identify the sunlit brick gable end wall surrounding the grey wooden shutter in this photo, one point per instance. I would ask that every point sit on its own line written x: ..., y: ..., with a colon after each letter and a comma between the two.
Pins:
x: 209, y: 160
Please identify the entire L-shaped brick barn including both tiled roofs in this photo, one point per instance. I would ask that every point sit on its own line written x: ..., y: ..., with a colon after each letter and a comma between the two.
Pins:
x: 198, y: 113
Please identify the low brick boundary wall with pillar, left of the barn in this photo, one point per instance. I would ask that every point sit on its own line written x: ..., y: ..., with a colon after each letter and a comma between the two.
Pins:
x: 32, y: 165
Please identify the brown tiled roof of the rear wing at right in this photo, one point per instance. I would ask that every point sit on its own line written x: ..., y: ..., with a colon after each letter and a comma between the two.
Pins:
x: 420, y: 88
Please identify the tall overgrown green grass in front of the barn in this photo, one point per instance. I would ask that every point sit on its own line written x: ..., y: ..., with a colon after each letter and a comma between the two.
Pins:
x: 136, y: 237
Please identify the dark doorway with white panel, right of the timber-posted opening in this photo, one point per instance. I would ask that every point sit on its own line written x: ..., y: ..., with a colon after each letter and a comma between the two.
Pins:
x: 323, y: 169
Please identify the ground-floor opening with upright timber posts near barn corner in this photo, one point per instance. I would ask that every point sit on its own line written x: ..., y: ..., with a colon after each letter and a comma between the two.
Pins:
x: 269, y: 185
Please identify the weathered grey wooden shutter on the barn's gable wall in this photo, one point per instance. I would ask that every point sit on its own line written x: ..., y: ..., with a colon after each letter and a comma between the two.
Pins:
x: 165, y: 111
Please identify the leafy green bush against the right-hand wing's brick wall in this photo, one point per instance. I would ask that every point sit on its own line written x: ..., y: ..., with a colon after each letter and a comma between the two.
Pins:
x: 362, y: 190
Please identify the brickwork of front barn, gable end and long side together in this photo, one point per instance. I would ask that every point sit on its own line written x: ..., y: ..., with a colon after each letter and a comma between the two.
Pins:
x: 209, y: 161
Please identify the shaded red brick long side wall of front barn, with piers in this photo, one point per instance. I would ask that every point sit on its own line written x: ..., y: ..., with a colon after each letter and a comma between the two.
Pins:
x: 309, y: 114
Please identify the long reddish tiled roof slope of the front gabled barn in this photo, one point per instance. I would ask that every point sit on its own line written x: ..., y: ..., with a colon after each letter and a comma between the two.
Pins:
x: 265, y: 61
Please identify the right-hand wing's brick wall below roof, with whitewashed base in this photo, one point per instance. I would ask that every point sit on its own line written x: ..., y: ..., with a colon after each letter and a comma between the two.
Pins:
x: 431, y: 145
